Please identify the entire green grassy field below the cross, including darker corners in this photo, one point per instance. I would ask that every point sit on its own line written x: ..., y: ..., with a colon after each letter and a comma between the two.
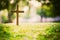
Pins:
x: 30, y: 31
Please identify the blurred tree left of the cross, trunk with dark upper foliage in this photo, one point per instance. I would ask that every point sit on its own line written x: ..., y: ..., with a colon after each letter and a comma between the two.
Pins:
x: 5, y: 4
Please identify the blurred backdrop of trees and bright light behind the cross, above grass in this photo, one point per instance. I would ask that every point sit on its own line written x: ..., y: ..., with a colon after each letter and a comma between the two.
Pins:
x: 34, y: 11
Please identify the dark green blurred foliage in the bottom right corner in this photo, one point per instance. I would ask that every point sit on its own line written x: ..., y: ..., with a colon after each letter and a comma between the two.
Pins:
x: 52, y: 33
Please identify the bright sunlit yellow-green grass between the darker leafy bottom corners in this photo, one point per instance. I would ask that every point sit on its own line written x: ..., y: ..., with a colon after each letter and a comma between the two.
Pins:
x: 26, y: 31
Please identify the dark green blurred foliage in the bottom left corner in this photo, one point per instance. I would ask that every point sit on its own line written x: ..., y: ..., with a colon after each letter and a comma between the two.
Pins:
x: 3, y: 33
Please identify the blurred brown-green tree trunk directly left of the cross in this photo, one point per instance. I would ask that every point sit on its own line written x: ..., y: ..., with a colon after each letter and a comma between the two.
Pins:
x: 12, y: 7
